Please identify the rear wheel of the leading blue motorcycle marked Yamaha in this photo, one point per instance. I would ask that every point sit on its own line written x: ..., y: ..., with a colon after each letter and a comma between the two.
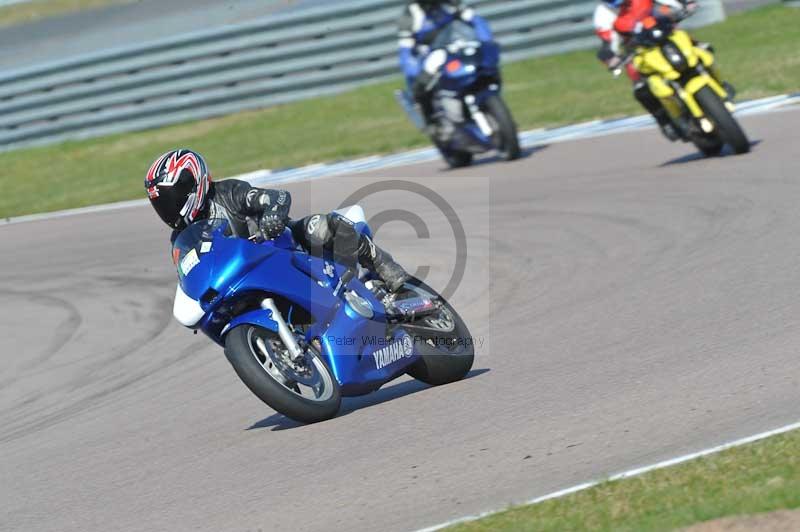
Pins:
x: 447, y: 350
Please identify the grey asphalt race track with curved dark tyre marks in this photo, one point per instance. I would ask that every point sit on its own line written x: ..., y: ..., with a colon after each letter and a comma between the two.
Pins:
x: 636, y: 303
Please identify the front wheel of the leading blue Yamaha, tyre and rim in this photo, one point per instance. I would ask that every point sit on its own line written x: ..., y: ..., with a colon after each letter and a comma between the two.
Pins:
x: 256, y: 356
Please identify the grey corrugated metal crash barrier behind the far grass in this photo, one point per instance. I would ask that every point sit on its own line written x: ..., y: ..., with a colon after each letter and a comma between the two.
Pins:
x: 257, y: 64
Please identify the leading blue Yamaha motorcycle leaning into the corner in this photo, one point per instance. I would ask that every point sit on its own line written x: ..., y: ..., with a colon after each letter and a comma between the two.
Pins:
x: 303, y: 331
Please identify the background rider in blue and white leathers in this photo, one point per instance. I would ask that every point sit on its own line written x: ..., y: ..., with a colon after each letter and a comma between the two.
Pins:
x: 419, y: 25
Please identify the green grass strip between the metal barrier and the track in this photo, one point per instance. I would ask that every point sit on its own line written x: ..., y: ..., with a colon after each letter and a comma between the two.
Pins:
x: 757, y: 52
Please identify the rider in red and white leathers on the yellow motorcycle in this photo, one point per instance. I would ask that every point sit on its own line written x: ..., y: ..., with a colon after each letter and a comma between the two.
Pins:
x: 609, y: 18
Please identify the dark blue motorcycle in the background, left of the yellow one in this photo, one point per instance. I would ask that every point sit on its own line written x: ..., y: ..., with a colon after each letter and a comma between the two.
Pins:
x: 470, y: 116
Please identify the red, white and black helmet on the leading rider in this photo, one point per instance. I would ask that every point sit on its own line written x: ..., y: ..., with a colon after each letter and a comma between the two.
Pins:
x: 178, y: 185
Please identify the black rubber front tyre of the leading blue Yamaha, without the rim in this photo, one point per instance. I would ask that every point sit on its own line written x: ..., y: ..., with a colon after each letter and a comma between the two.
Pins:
x: 242, y: 355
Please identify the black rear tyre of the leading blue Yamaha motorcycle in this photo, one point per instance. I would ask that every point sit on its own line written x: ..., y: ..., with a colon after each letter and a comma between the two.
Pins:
x: 437, y: 364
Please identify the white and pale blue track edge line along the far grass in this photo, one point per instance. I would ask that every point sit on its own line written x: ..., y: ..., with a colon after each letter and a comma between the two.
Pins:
x: 531, y: 138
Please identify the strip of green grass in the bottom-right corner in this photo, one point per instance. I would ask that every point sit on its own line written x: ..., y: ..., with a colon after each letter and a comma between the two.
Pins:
x: 759, y: 477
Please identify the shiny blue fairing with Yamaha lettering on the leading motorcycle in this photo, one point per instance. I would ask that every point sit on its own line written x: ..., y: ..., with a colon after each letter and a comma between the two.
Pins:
x: 224, y: 273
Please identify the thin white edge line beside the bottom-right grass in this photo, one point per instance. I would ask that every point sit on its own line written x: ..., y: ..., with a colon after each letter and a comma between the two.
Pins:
x: 625, y: 474
